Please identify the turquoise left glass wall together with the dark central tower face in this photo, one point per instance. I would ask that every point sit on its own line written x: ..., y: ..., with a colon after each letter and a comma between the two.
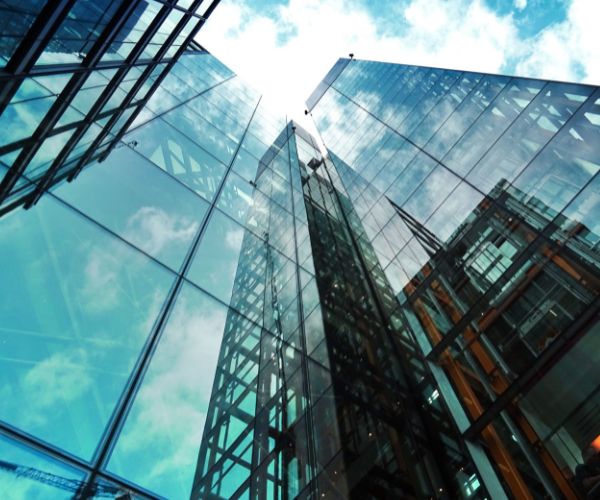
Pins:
x: 202, y: 314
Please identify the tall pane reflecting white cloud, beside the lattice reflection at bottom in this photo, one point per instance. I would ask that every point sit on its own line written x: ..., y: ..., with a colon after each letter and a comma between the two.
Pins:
x: 158, y: 446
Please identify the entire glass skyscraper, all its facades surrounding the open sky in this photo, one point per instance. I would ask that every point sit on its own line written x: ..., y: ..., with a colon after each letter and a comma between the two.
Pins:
x: 216, y: 307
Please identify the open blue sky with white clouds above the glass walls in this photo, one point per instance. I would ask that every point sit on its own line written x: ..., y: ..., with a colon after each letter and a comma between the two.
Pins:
x: 284, y: 48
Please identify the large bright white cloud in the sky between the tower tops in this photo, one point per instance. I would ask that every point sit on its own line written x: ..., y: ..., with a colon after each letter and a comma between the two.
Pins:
x: 286, y: 55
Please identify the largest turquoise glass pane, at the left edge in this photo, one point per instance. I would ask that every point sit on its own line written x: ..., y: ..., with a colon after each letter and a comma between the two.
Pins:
x: 77, y: 306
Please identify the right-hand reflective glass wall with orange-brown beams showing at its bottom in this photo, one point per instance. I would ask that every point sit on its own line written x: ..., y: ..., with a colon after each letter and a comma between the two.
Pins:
x: 479, y: 195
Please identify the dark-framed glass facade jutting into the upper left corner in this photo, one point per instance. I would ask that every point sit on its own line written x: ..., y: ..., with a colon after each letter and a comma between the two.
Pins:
x: 92, y: 77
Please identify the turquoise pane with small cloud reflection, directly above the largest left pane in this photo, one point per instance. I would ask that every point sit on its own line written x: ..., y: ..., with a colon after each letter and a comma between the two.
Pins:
x: 161, y: 217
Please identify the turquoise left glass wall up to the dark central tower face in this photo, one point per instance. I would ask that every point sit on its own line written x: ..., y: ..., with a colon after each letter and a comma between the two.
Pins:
x: 172, y: 280
